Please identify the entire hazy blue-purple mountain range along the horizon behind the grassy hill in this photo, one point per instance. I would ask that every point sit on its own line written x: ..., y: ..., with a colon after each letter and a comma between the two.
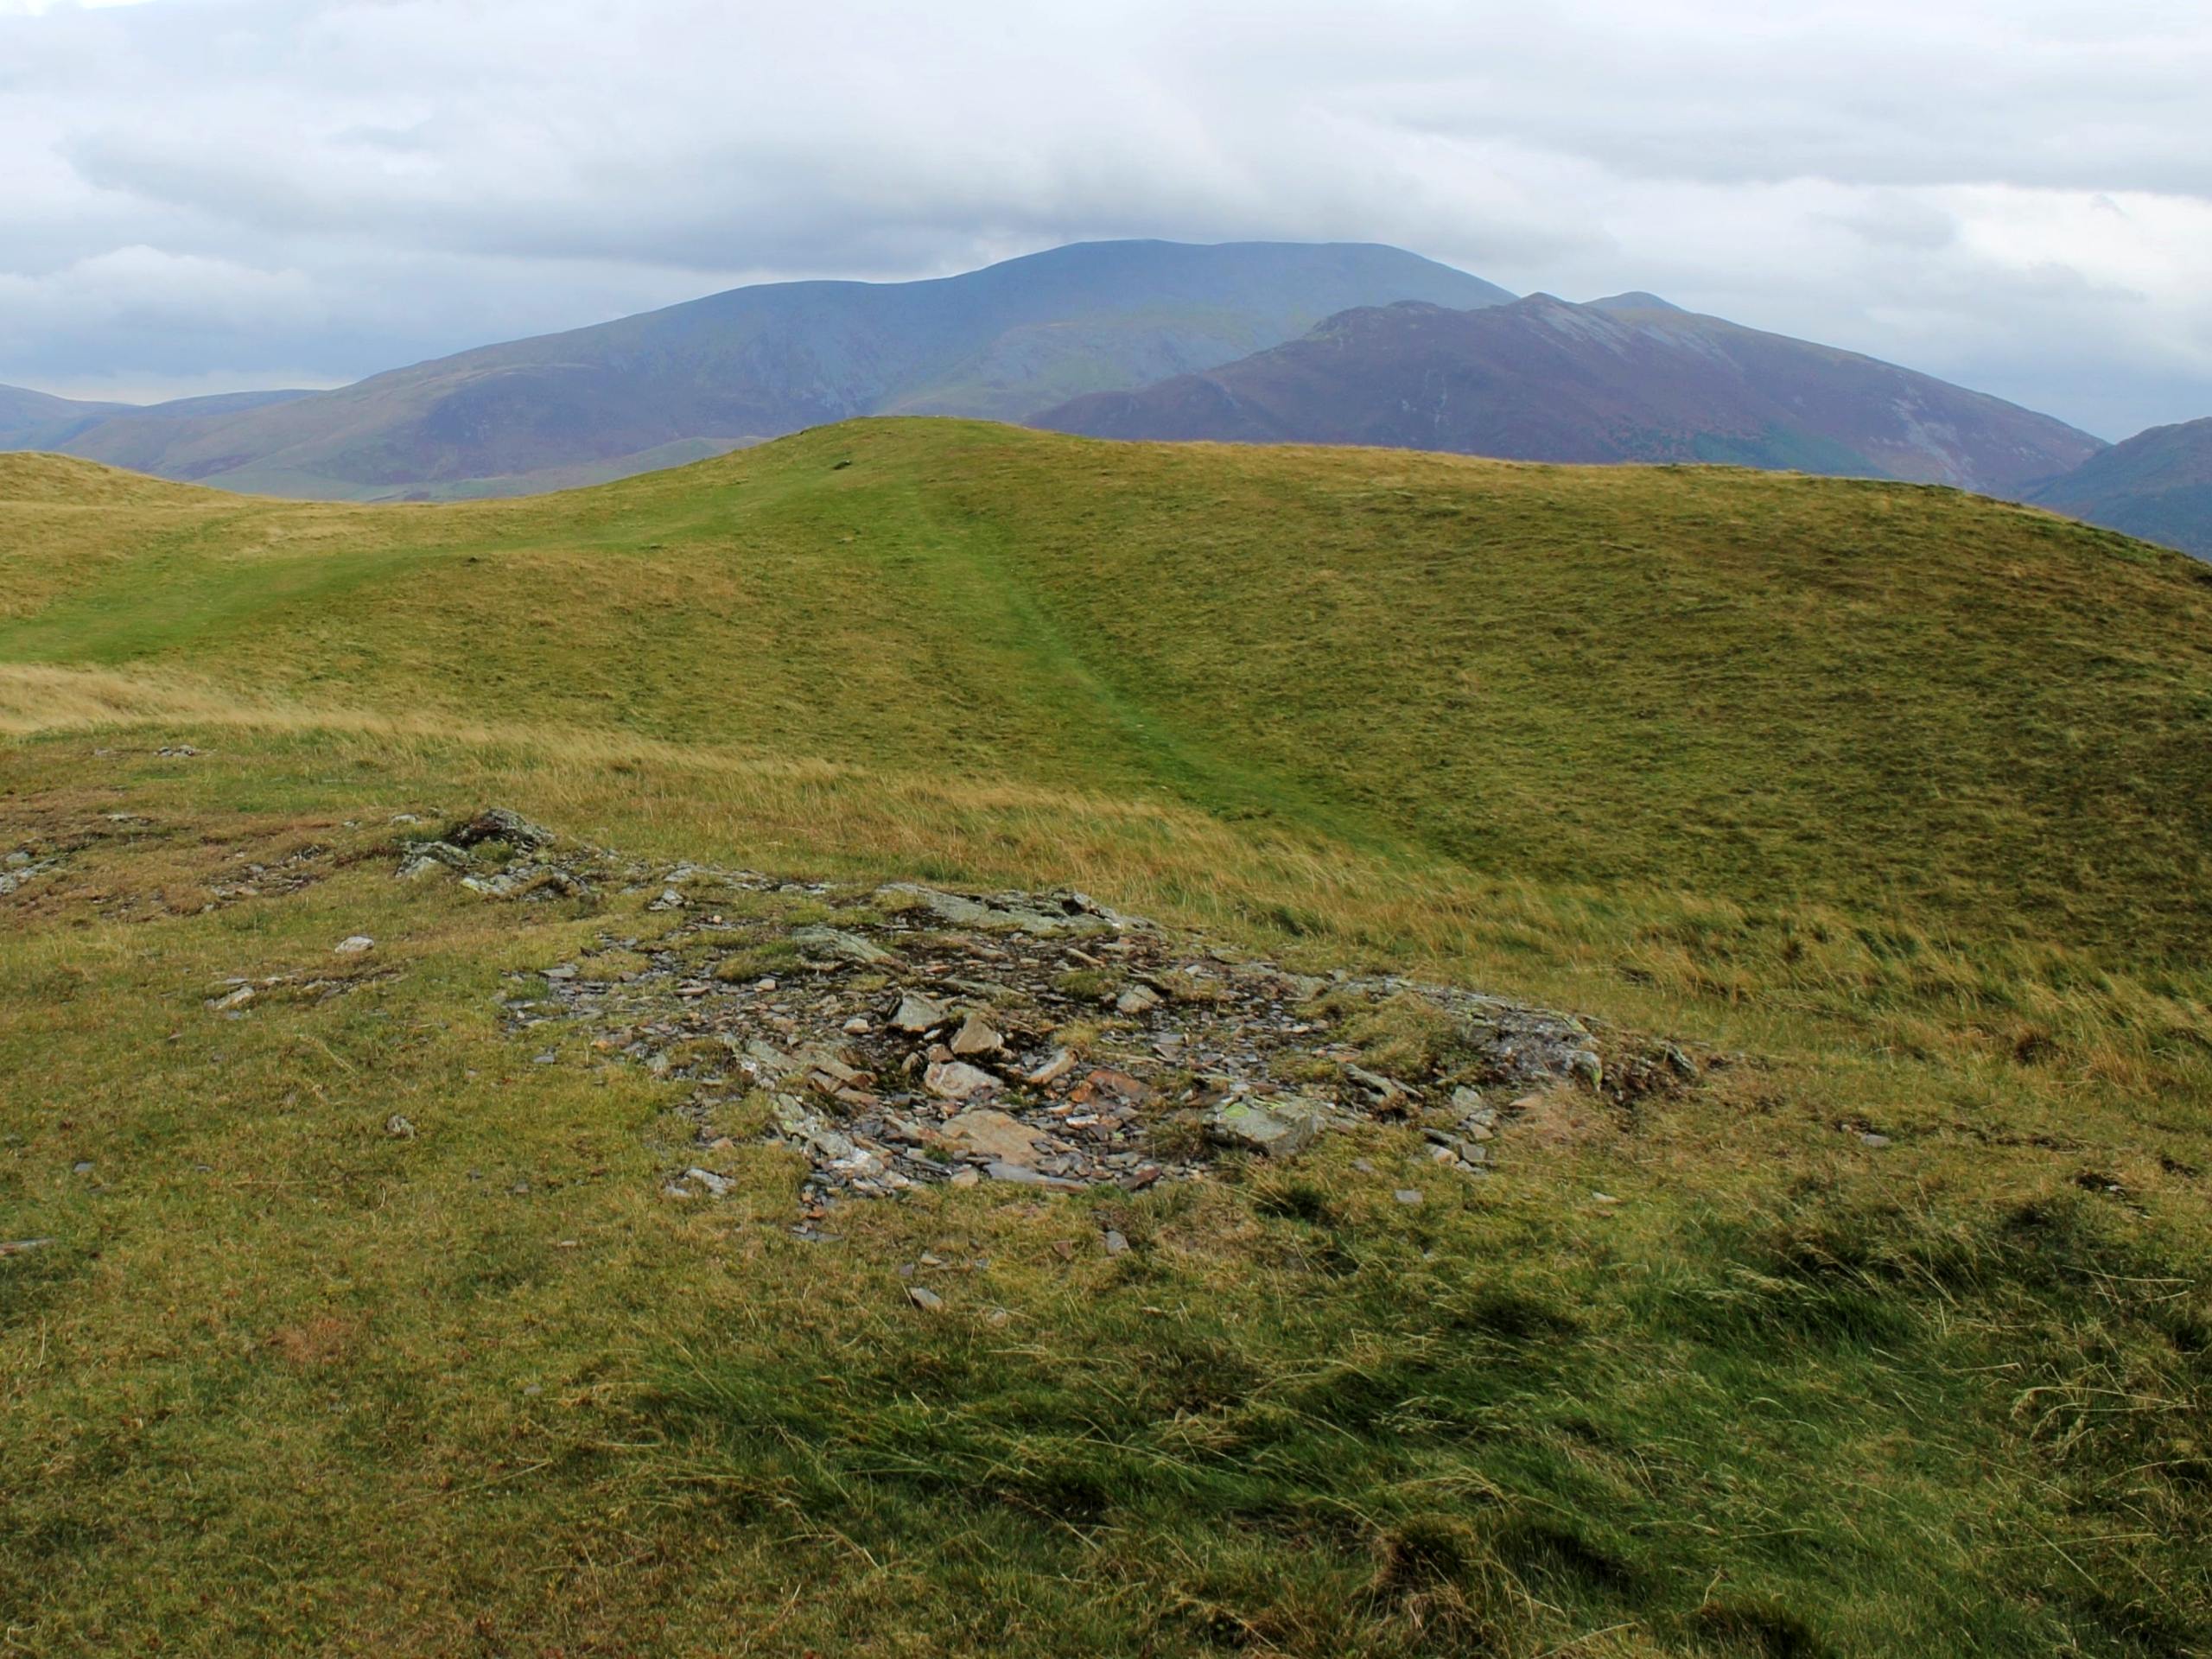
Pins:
x: 1145, y: 340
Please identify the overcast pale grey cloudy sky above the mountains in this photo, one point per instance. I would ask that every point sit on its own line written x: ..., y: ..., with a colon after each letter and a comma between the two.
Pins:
x: 229, y: 194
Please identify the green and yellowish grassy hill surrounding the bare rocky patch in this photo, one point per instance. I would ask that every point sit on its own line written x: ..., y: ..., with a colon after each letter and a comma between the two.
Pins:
x: 1895, y: 1333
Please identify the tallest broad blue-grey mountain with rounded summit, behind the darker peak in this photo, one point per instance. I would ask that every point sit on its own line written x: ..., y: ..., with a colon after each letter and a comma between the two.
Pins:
x: 762, y: 362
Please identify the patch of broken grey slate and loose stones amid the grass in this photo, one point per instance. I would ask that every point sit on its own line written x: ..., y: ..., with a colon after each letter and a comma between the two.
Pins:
x: 912, y: 1036
